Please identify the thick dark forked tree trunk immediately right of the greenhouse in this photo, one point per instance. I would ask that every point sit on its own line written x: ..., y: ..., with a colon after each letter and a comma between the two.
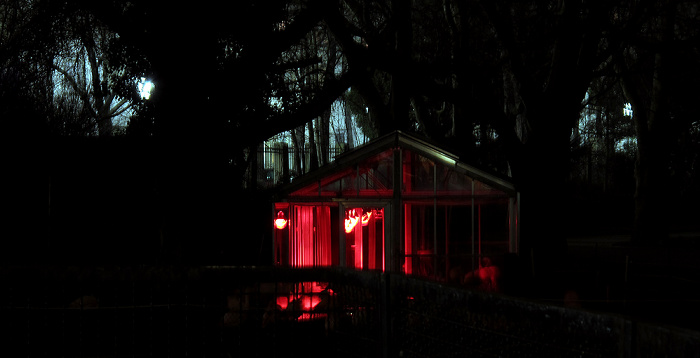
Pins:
x: 542, y: 112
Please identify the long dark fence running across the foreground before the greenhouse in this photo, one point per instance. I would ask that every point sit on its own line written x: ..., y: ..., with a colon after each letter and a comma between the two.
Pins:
x: 266, y: 312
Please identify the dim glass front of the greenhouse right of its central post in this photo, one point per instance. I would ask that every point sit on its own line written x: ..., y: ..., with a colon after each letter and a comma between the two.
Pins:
x: 450, y: 221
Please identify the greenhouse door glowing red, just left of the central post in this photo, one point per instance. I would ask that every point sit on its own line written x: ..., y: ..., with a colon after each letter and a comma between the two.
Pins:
x: 364, y: 232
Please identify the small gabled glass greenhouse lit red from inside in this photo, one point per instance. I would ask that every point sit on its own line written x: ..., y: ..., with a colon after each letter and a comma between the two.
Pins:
x: 398, y: 204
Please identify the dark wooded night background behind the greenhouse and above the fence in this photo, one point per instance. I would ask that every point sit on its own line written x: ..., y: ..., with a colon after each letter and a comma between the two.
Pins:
x: 503, y: 84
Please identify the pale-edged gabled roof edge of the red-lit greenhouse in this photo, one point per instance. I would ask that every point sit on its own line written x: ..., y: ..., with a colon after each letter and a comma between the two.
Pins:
x: 398, y: 139
